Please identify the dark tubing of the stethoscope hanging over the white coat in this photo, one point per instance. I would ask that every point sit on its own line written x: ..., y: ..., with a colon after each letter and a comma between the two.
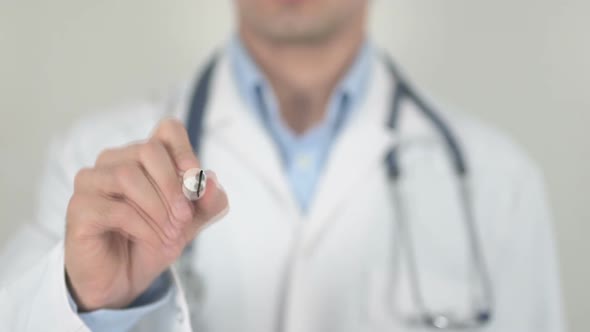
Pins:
x: 402, y: 90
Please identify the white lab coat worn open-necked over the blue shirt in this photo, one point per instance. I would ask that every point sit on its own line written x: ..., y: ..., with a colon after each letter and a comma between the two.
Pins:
x: 340, y: 252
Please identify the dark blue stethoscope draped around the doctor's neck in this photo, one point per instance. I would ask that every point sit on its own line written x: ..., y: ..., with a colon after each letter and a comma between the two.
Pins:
x: 482, y: 299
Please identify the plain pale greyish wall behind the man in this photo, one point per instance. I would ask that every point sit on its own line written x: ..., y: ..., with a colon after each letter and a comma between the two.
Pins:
x: 522, y: 65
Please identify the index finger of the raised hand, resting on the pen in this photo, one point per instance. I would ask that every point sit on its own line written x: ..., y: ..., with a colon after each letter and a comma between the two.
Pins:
x: 173, y: 135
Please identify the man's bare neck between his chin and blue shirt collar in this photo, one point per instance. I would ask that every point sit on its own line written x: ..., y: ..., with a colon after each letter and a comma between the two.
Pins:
x: 303, y: 76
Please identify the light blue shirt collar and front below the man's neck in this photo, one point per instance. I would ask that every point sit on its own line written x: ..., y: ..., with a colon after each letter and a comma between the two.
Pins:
x: 303, y: 155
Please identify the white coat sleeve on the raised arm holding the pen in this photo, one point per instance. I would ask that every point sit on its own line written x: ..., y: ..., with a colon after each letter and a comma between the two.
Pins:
x: 33, y: 293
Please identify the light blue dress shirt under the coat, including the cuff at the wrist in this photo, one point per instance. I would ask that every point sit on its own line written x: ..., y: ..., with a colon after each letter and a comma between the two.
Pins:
x: 303, y: 159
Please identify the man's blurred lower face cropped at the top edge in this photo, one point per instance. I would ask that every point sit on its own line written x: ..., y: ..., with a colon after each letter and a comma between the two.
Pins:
x: 298, y: 21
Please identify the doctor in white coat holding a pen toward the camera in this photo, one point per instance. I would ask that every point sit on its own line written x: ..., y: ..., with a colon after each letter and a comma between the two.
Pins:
x: 296, y: 117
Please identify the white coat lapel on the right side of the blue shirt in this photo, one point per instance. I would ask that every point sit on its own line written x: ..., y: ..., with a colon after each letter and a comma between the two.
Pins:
x: 359, y: 150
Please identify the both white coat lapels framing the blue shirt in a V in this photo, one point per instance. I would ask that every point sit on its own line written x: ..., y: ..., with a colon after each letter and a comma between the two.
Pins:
x: 361, y: 147
